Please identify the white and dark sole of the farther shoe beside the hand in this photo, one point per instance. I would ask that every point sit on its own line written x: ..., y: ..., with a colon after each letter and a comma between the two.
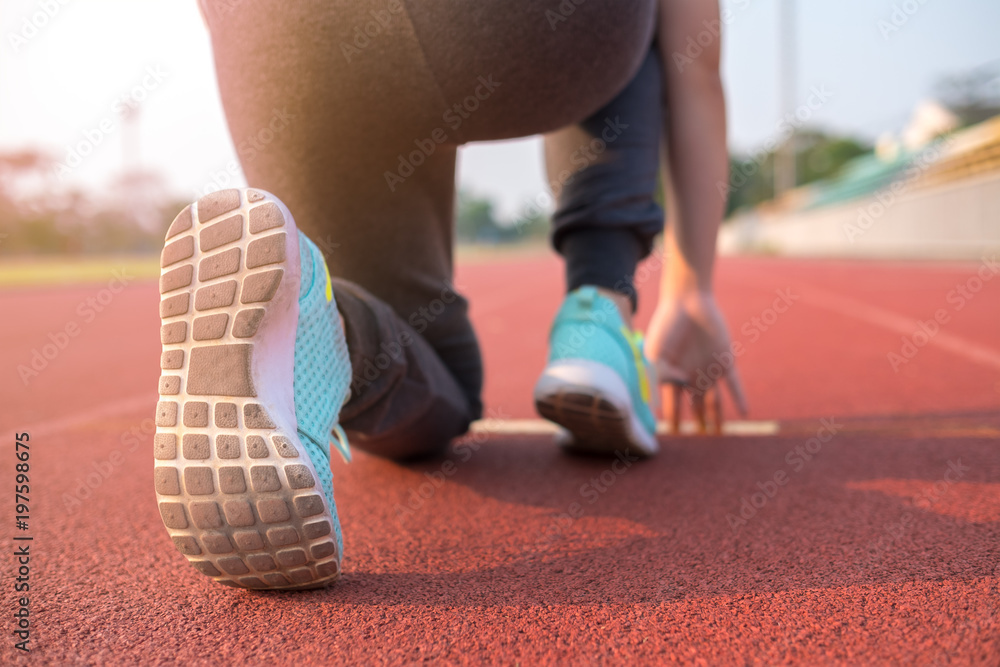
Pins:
x: 591, y: 402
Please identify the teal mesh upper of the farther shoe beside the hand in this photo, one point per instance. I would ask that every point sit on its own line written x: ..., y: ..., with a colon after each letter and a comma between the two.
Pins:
x: 589, y: 326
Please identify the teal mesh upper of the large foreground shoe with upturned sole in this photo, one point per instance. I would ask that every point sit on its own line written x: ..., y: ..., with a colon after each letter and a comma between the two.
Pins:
x: 322, y: 368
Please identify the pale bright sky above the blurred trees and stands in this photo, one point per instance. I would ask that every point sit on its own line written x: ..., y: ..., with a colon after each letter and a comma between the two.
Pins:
x: 67, y: 75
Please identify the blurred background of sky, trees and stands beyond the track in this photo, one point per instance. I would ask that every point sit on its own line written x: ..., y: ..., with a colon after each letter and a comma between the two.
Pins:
x: 857, y: 128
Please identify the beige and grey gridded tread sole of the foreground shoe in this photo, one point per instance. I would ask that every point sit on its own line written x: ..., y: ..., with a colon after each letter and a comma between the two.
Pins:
x: 237, y: 497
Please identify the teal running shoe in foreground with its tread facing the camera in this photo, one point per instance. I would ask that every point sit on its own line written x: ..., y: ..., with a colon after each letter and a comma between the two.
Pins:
x: 254, y: 373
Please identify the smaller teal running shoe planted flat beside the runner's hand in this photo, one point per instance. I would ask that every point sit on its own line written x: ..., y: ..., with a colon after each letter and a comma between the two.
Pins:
x: 598, y: 385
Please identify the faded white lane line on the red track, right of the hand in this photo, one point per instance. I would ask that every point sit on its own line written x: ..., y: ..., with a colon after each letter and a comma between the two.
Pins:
x: 900, y: 324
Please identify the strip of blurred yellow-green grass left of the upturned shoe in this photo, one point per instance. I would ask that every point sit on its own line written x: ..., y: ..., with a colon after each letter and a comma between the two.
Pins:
x: 34, y: 271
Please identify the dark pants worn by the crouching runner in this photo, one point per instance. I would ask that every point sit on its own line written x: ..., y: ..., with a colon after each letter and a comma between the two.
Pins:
x: 371, y: 100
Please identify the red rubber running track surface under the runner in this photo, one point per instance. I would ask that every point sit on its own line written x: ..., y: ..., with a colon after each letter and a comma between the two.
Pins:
x: 882, y: 545
